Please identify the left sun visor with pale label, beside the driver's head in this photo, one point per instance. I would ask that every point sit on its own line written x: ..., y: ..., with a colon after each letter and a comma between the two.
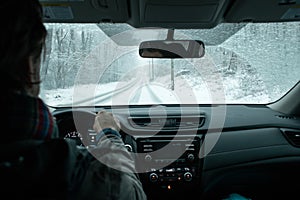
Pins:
x: 85, y: 11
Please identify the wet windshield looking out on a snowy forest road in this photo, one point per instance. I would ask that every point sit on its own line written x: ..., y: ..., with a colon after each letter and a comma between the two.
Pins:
x: 96, y: 65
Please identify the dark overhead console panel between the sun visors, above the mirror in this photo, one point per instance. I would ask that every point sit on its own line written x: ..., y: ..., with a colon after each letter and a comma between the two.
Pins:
x: 180, y: 14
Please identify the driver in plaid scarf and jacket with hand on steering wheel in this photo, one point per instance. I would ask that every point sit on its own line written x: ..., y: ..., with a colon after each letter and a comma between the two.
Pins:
x: 26, y: 116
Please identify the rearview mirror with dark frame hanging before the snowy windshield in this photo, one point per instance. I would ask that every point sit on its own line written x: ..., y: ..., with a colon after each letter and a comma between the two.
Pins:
x: 172, y: 49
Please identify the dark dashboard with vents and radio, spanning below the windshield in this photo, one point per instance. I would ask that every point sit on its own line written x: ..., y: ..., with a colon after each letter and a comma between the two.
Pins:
x: 209, y: 151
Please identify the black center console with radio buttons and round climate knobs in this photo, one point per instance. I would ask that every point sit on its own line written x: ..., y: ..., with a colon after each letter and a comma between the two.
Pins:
x: 169, y: 164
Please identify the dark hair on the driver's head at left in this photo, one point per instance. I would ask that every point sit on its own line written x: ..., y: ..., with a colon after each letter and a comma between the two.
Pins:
x: 22, y: 35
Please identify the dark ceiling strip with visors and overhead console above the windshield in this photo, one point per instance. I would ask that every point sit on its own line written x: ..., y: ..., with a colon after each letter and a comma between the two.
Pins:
x: 182, y: 14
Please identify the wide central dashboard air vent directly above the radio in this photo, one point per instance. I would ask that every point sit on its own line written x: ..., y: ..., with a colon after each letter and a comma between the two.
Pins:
x: 167, y: 123
